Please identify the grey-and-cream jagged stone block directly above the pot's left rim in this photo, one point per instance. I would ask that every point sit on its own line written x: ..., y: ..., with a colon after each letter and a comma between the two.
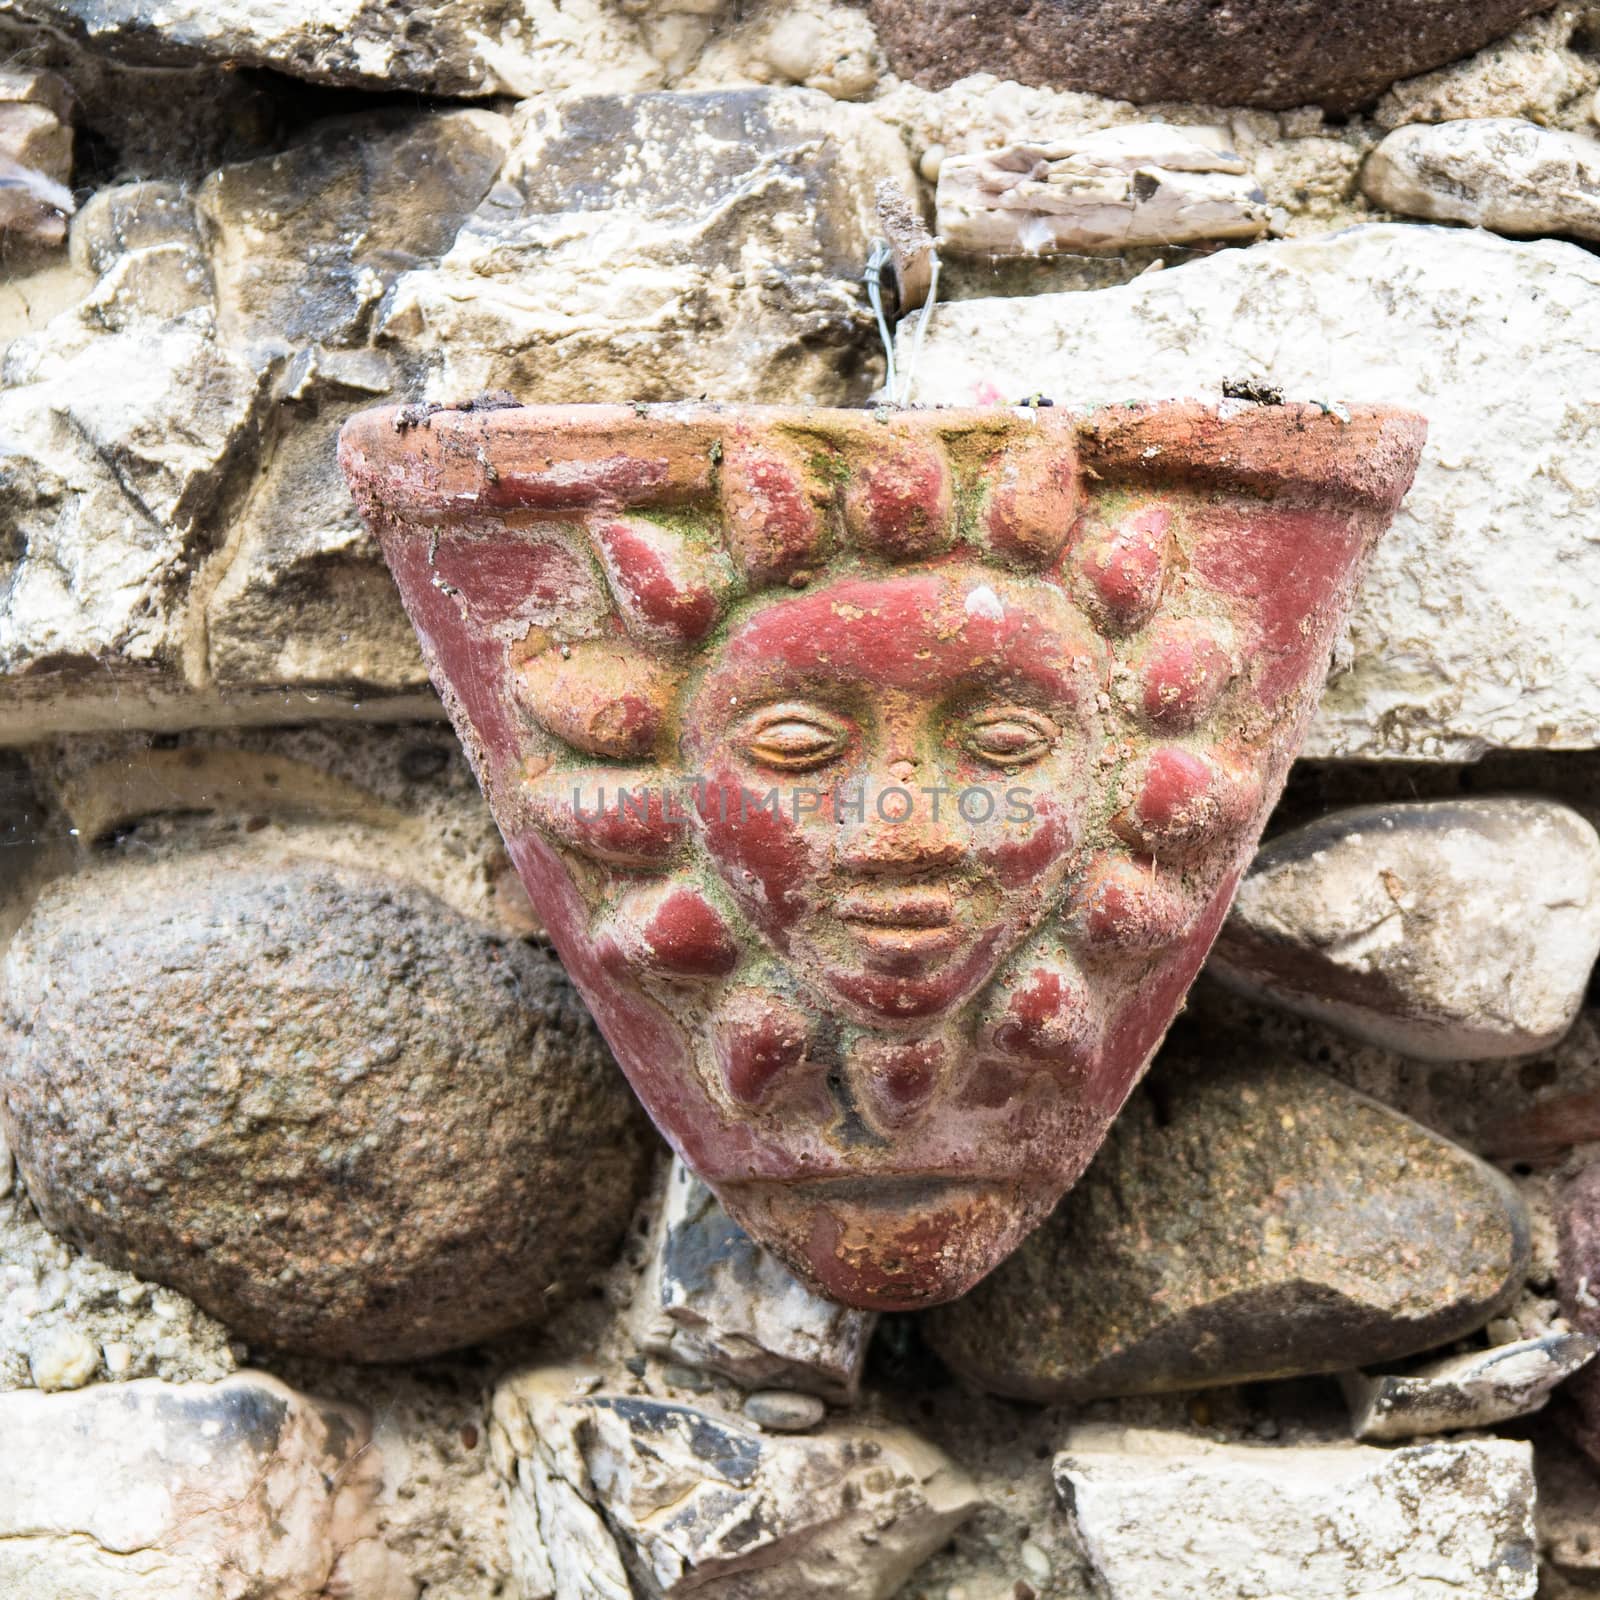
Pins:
x: 666, y: 247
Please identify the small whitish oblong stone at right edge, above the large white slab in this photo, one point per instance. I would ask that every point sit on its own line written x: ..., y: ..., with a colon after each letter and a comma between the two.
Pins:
x: 1498, y: 172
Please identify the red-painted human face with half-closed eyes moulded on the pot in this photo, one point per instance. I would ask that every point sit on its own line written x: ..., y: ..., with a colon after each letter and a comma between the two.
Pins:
x: 903, y: 710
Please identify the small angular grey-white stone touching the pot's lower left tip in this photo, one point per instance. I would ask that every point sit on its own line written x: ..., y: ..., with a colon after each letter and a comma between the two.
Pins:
x: 713, y: 1298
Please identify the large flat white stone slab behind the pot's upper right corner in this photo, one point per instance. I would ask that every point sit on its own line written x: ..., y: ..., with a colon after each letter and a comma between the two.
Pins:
x: 1474, y: 628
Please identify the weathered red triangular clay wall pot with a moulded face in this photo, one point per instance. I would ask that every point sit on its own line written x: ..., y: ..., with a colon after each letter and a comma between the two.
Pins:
x: 881, y: 777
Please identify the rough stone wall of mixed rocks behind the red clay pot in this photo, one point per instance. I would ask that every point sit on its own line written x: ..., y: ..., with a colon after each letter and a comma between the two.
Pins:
x: 335, y: 1255
